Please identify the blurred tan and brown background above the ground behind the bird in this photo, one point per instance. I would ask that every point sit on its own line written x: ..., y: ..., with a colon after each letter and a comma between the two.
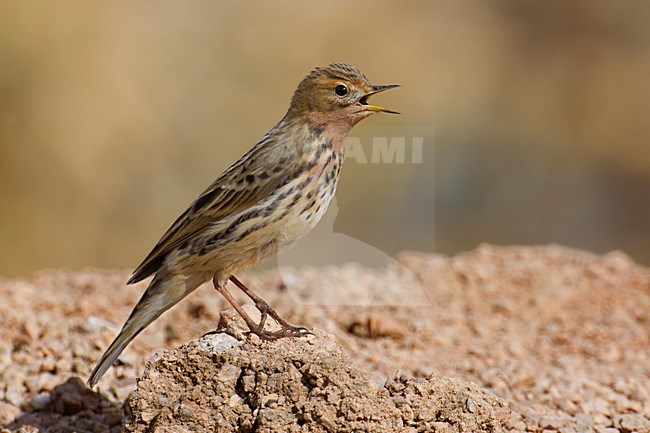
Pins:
x: 114, y: 116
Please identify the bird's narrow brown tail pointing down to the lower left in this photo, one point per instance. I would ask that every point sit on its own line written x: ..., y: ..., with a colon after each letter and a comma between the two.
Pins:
x: 163, y: 293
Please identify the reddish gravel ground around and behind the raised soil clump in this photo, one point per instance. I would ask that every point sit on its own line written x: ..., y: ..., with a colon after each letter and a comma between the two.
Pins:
x: 561, y: 336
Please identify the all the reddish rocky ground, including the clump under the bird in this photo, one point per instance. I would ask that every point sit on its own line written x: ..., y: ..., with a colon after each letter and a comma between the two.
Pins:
x: 551, y: 339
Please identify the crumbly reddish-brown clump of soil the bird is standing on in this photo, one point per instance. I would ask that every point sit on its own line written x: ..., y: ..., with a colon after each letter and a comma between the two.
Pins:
x: 219, y: 383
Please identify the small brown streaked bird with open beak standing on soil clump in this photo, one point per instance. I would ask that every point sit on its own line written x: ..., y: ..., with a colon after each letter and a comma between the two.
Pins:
x: 269, y: 198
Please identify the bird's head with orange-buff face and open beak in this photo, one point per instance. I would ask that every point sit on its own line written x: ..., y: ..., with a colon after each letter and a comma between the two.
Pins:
x: 336, y: 95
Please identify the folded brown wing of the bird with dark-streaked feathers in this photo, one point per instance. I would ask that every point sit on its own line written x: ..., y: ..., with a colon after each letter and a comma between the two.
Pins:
x: 239, y: 187
